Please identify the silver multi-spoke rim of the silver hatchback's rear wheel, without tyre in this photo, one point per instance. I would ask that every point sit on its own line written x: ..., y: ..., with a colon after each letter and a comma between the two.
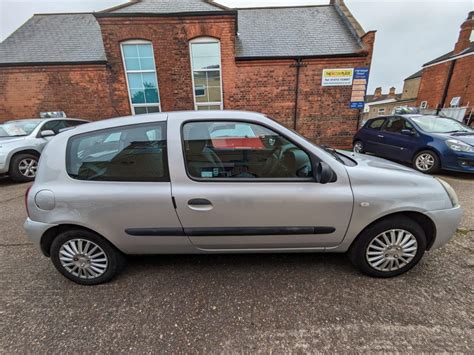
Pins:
x: 83, y: 258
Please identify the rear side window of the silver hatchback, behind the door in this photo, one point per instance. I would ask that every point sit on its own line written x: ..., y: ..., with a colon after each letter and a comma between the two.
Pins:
x: 128, y: 153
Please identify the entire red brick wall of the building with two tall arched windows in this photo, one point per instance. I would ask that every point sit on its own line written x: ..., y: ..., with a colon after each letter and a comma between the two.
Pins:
x: 96, y: 92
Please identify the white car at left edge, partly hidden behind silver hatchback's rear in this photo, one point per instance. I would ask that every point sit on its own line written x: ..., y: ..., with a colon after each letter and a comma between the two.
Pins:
x: 22, y: 141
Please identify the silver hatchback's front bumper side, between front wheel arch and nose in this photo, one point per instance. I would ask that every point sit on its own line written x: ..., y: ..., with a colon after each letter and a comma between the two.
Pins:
x: 446, y: 222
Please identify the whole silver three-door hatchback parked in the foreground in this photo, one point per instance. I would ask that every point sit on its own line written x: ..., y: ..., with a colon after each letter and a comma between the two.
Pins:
x: 226, y: 182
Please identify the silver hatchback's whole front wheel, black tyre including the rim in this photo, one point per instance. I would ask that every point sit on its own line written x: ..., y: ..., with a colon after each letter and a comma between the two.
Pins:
x: 389, y: 247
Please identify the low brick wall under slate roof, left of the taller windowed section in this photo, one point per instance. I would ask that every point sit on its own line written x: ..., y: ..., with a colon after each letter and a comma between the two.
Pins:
x: 79, y: 90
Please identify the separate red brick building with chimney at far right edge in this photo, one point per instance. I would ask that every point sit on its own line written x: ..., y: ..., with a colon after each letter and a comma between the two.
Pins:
x: 449, y: 79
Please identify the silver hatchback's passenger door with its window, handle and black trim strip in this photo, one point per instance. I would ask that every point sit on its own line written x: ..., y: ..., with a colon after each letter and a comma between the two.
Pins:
x: 253, y: 192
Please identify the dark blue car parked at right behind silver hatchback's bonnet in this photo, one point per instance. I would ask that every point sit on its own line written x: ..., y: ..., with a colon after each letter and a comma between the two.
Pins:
x: 429, y: 143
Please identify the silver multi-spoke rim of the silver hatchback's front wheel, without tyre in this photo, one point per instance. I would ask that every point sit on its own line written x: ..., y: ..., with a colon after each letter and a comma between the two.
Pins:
x: 391, y: 250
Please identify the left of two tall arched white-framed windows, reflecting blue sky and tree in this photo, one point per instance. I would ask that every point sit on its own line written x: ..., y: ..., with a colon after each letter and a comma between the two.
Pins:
x: 140, y: 72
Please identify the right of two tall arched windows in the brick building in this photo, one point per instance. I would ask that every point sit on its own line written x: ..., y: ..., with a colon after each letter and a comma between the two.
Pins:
x: 206, y: 72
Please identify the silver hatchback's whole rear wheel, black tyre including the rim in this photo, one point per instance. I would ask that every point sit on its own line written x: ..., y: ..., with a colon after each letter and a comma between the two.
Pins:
x: 85, y: 258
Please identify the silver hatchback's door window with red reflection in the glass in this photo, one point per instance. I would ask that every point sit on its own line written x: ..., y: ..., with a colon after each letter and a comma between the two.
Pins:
x: 241, y: 150
